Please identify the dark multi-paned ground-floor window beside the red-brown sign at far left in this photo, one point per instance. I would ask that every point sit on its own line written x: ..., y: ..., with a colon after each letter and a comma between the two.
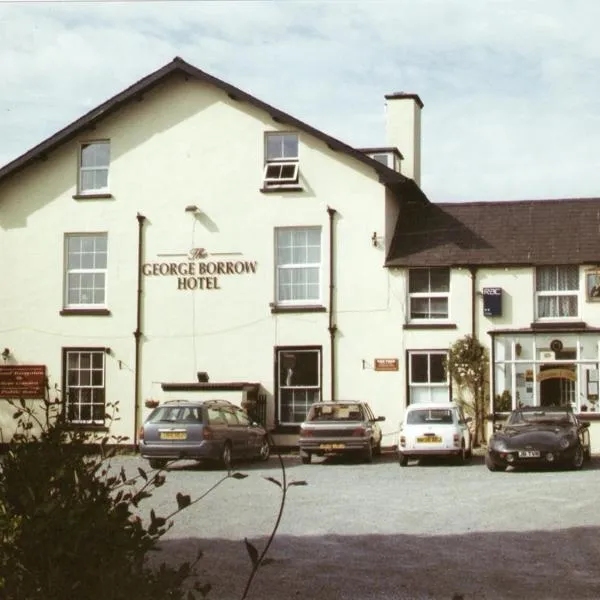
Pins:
x: 84, y: 385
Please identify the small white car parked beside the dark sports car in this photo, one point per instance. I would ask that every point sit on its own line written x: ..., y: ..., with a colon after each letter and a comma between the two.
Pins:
x: 434, y: 429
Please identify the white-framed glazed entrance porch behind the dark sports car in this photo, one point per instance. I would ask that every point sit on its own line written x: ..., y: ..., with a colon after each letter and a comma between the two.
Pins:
x: 546, y: 370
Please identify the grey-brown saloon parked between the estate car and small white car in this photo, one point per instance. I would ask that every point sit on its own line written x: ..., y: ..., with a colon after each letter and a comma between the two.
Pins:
x: 340, y: 428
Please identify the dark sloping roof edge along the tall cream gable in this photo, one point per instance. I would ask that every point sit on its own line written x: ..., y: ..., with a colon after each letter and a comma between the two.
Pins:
x: 387, y: 176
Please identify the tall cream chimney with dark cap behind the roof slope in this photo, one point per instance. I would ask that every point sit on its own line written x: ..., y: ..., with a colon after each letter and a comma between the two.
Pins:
x: 403, y: 130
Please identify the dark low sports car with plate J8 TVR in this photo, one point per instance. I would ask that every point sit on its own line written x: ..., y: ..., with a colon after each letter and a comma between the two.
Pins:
x: 539, y: 436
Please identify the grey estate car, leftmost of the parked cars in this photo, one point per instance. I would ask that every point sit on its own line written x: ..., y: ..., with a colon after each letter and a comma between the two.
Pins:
x: 215, y: 430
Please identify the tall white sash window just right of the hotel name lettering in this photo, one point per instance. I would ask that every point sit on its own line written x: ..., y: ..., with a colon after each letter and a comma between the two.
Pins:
x: 298, y: 260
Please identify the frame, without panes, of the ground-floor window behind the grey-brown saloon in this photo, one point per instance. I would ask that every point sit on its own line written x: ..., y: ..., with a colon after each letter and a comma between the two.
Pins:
x: 315, y: 390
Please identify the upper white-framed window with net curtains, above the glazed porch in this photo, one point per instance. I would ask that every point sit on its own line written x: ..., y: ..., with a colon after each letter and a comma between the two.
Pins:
x: 557, y: 292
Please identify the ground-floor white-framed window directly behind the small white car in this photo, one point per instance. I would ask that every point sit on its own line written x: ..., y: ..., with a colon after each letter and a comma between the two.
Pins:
x: 428, y: 381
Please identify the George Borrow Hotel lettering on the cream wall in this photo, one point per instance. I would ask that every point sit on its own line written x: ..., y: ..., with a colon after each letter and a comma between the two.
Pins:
x: 195, y: 271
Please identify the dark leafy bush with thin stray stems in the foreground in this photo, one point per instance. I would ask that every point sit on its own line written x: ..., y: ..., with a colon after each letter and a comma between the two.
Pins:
x: 70, y: 525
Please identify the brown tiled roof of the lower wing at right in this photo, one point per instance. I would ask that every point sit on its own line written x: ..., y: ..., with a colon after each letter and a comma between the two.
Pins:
x: 510, y: 233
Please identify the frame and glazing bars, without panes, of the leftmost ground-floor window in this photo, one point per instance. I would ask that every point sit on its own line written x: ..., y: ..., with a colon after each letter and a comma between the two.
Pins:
x: 68, y: 387
